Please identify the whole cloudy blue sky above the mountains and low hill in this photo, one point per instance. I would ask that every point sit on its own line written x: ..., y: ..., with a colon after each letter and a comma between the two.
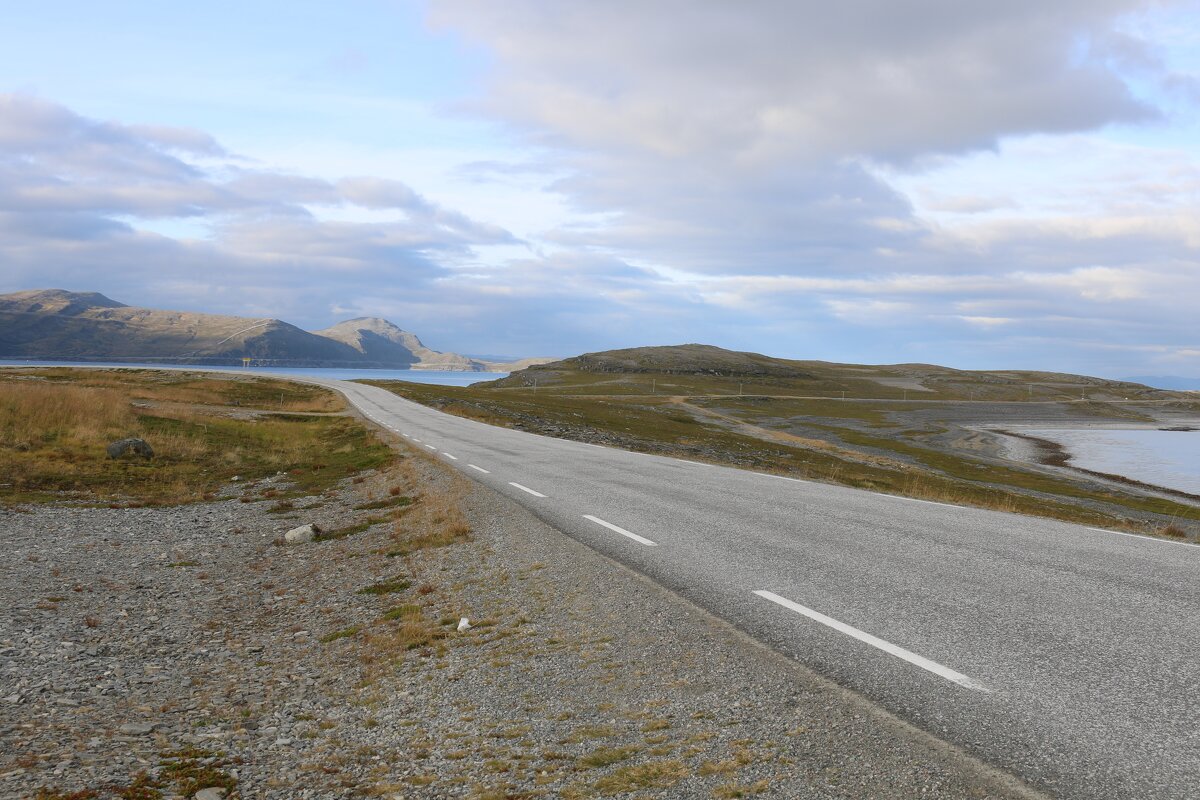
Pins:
x: 977, y: 185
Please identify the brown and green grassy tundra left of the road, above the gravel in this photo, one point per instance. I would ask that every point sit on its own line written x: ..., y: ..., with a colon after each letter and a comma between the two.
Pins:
x: 206, y: 432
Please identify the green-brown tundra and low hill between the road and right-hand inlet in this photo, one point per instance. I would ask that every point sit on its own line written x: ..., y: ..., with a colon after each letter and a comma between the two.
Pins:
x: 914, y: 430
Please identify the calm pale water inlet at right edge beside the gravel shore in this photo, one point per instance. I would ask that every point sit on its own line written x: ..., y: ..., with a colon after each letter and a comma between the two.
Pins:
x: 1169, y: 459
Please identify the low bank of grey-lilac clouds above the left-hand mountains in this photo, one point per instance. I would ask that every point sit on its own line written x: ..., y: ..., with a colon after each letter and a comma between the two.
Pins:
x: 79, y: 197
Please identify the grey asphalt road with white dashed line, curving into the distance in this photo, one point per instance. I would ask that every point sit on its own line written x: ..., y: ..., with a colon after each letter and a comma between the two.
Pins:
x: 1067, y: 655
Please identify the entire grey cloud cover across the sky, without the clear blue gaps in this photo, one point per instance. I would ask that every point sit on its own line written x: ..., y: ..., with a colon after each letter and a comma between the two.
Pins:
x: 725, y: 160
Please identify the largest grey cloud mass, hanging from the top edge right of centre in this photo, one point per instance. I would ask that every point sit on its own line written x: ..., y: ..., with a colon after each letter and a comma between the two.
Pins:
x: 747, y: 139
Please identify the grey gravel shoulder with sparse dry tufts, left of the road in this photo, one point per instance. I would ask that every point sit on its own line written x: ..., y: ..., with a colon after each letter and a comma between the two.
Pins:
x: 184, y: 646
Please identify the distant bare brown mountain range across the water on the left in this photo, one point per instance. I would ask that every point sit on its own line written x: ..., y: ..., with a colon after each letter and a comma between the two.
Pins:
x: 89, y: 327
